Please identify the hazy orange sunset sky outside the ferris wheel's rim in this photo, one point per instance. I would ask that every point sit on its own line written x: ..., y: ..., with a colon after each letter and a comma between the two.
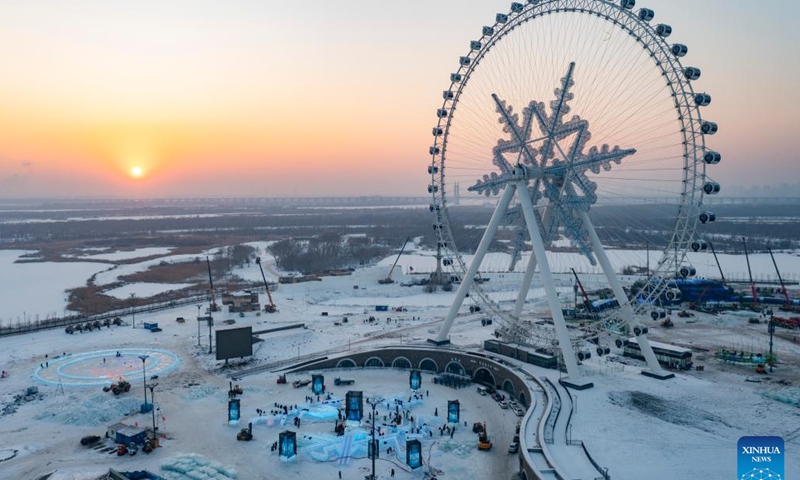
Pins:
x: 320, y: 97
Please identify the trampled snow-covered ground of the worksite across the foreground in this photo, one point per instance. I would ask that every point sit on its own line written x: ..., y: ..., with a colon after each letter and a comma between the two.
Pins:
x: 637, y: 427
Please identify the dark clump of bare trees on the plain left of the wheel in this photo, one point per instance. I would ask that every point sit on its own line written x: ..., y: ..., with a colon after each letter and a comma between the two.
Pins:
x: 327, y: 251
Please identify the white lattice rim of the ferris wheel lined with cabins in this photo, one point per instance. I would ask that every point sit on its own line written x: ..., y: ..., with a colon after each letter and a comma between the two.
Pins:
x: 679, y: 82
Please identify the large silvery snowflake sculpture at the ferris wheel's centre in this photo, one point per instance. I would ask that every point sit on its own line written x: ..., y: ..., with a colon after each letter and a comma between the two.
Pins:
x: 557, y: 174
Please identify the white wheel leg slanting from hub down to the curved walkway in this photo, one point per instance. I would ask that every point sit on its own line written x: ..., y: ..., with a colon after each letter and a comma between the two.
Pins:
x: 562, y: 333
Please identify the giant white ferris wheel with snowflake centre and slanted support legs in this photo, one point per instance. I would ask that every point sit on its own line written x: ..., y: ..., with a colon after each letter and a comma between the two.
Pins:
x: 577, y: 125
